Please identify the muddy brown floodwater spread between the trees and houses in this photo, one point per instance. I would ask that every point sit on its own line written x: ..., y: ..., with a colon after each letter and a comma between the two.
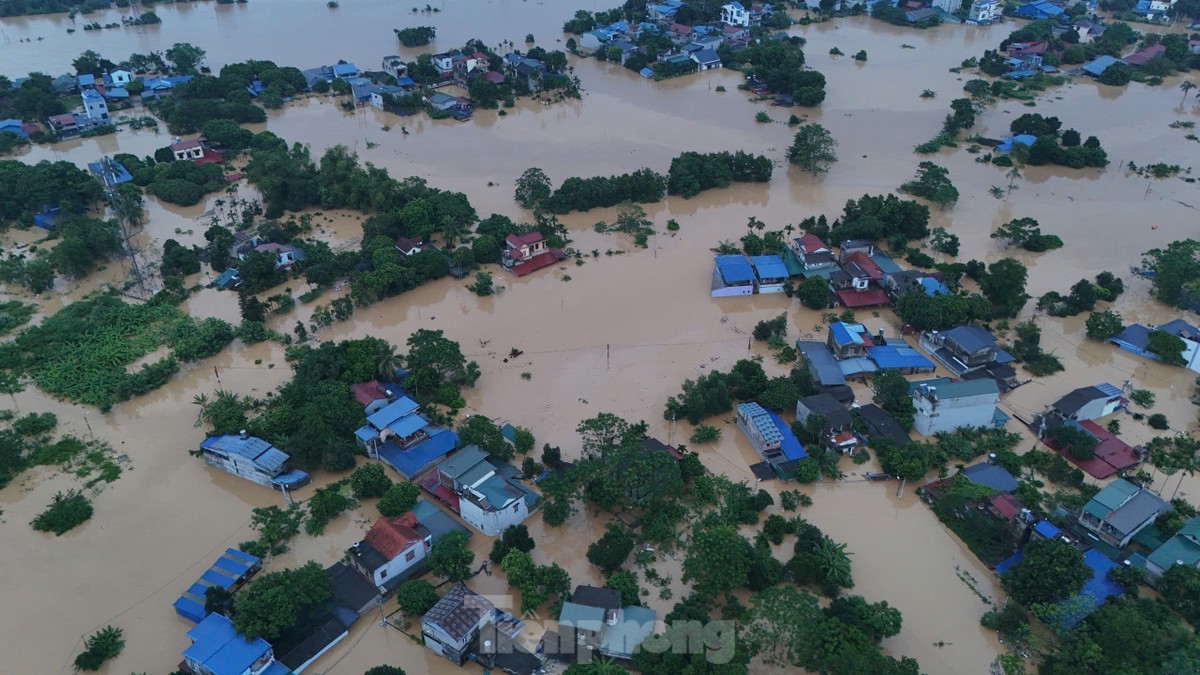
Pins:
x: 620, y: 336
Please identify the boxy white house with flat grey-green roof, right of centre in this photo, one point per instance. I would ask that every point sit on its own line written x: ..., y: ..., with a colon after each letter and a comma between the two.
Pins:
x: 947, y: 407
